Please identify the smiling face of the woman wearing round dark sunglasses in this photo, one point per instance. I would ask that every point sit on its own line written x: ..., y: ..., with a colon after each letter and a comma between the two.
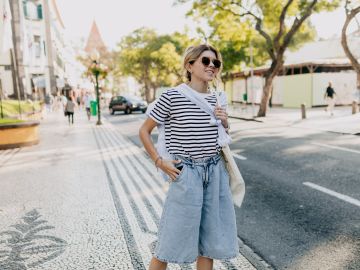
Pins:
x: 203, y: 69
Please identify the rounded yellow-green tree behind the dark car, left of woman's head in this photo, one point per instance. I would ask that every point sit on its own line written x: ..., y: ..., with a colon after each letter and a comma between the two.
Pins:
x: 153, y: 60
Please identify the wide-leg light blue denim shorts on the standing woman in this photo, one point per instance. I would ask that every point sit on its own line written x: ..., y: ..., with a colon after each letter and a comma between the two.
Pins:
x: 198, y: 217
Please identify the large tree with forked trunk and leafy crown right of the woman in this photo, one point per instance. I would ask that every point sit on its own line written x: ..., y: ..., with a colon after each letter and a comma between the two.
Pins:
x: 282, y: 24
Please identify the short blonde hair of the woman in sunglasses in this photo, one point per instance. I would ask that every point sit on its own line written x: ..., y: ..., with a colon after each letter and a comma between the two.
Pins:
x: 192, y: 53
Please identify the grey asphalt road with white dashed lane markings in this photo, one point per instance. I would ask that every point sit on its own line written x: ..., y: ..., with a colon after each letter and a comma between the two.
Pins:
x: 302, y: 203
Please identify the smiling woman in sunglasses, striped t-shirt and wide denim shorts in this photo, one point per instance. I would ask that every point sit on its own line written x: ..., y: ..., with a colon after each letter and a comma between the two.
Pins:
x: 198, y: 219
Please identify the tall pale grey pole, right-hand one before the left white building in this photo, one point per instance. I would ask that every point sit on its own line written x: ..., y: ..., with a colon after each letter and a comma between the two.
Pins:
x: 49, y: 70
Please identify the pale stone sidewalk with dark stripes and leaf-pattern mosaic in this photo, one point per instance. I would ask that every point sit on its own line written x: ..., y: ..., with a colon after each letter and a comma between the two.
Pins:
x: 84, y: 198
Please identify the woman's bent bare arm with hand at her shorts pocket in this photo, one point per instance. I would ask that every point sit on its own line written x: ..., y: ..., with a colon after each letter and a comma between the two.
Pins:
x: 145, y: 136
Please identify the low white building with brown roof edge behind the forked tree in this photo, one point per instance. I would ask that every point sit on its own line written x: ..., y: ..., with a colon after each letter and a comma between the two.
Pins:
x: 305, y: 76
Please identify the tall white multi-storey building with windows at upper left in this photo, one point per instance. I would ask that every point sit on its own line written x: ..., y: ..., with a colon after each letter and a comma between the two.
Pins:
x: 45, y: 57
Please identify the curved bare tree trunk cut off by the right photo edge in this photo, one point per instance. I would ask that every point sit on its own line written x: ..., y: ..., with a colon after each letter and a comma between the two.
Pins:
x: 352, y: 8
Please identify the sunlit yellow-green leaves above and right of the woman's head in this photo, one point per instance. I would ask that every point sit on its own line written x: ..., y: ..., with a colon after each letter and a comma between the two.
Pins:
x: 233, y: 24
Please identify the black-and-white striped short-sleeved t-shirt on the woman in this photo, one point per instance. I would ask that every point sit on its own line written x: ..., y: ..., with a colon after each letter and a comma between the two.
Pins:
x: 188, y: 131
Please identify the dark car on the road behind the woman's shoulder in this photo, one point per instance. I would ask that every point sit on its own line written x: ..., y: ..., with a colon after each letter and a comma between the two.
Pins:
x: 127, y: 104
